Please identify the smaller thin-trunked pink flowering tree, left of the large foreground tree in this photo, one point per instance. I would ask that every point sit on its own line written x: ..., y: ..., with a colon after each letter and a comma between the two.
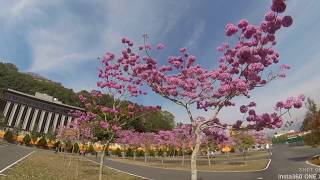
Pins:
x: 106, y: 120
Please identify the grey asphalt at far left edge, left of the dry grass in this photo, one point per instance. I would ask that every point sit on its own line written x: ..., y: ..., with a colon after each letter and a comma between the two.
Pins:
x: 11, y: 153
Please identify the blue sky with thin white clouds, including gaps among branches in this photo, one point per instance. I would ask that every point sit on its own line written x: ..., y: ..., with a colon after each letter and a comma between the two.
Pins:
x: 62, y: 39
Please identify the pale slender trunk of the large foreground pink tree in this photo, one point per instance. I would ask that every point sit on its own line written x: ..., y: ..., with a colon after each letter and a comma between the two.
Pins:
x: 194, y: 154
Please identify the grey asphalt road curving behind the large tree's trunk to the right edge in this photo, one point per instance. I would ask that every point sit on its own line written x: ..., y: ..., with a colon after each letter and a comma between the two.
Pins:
x: 285, y: 161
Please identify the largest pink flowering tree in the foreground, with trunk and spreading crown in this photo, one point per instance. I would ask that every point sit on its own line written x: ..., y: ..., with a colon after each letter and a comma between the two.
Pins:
x: 249, y: 63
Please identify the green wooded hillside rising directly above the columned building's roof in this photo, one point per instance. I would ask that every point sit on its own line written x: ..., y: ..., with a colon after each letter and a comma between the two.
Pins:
x: 30, y: 83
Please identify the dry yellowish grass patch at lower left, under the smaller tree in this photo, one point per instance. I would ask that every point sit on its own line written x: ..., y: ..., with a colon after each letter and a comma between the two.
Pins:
x: 46, y: 165
